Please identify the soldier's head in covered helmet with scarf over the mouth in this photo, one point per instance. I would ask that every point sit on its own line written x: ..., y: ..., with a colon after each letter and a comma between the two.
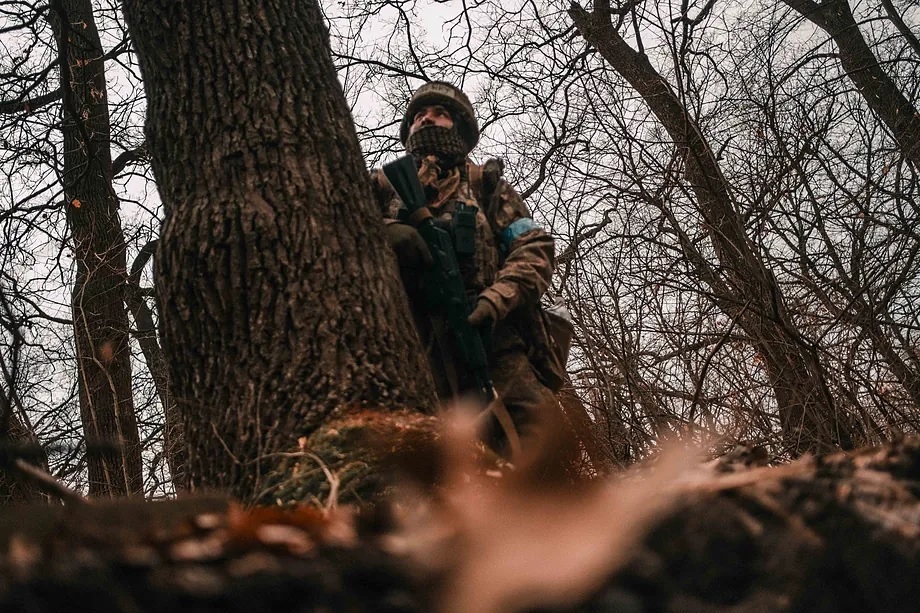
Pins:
x: 440, y: 121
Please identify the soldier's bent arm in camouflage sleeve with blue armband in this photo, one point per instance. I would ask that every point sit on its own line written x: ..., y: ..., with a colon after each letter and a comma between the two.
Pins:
x: 527, y: 249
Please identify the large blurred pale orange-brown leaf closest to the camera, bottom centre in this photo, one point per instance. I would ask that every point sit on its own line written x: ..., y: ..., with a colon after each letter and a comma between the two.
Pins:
x: 510, y: 545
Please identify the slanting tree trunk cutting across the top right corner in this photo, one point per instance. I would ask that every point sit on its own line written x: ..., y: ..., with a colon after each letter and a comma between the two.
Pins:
x: 862, y: 67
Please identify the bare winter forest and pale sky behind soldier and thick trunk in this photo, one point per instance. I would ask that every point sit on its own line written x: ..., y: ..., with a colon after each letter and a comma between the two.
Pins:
x: 732, y: 186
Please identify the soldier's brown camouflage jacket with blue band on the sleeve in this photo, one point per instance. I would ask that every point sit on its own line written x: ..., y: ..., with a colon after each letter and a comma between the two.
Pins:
x: 514, y: 256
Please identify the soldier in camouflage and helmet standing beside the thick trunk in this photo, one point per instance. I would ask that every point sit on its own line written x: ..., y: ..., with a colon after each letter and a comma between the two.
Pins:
x: 505, y: 274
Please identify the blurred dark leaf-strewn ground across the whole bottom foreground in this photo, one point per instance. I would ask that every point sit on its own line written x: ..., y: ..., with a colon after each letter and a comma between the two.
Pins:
x: 839, y: 533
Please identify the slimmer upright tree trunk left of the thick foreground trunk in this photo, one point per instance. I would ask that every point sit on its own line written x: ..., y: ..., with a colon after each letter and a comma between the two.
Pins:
x: 100, y: 320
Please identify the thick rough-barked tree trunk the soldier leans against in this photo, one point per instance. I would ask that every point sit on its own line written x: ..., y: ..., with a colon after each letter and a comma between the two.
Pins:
x: 281, y: 307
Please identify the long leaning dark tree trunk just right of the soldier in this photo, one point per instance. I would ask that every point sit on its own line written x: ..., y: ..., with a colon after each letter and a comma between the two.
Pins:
x: 742, y: 286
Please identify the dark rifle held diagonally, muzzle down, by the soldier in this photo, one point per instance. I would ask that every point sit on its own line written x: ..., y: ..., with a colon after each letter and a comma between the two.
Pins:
x: 445, y: 291
